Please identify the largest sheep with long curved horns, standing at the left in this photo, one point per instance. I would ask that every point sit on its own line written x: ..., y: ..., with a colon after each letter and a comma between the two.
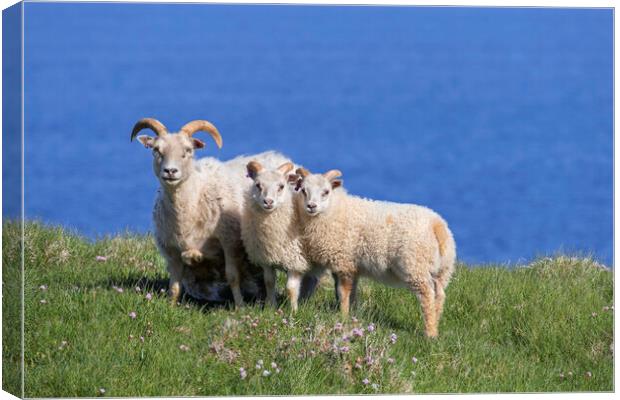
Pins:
x: 198, y: 207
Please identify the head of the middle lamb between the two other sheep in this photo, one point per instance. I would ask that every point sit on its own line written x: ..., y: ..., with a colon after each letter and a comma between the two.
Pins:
x: 270, y: 189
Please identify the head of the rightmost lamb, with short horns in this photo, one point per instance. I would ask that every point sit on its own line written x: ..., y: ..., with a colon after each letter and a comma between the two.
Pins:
x: 317, y: 189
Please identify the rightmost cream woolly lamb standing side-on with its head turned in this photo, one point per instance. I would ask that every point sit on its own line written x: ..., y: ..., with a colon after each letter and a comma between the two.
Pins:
x: 397, y: 244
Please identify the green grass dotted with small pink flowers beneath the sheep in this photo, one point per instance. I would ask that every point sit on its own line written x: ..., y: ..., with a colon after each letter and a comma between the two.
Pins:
x: 503, y: 330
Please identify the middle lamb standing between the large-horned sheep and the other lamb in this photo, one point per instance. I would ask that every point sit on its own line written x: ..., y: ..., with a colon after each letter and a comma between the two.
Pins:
x: 269, y: 228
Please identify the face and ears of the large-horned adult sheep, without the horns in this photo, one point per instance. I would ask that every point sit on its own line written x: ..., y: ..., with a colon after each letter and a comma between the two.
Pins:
x: 173, y: 156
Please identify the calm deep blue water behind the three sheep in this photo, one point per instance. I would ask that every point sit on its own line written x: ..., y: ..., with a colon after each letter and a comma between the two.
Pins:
x: 499, y: 119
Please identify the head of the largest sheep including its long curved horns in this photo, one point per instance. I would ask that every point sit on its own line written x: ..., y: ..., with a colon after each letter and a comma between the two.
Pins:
x: 173, y: 153
